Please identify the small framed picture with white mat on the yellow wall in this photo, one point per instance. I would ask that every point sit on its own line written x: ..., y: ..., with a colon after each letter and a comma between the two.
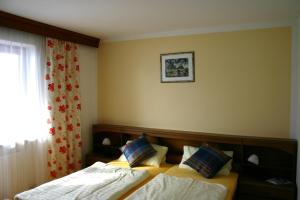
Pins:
x: 177, y: 67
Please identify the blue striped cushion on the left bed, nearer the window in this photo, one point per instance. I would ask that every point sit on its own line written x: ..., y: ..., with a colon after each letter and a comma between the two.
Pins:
x: 138, y: 150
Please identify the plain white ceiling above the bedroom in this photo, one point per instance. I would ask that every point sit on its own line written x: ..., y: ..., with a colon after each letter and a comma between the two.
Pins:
x: 121, y: 19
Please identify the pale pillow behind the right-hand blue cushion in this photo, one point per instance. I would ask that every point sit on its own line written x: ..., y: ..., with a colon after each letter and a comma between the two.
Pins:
x: 188, y: 151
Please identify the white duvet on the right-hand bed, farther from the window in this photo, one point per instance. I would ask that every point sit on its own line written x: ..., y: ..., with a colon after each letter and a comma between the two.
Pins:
x: 165, y: 187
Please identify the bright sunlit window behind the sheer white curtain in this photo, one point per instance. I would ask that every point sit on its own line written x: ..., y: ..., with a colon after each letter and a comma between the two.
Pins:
x: 22, y: 114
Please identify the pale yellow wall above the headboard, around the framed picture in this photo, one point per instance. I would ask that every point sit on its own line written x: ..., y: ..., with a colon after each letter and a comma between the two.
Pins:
x: 242, y: 83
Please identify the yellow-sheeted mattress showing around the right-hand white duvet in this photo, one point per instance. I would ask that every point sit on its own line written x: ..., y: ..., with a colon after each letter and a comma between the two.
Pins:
x: 230, y: 181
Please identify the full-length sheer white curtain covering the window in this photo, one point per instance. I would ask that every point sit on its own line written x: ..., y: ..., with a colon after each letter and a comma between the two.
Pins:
x: 23, y: 133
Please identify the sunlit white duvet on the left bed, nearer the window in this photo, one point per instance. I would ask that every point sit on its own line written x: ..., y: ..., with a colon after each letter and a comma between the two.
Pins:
x: 99, y: 181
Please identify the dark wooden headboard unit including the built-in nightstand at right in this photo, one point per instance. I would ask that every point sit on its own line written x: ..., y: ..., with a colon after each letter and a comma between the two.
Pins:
x: 277, y: 156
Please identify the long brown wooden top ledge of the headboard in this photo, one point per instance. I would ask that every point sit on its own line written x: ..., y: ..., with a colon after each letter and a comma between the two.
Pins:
x: 288, y: 145
